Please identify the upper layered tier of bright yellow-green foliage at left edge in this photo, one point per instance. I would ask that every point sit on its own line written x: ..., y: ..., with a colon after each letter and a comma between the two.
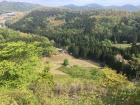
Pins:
x: 17, y: 51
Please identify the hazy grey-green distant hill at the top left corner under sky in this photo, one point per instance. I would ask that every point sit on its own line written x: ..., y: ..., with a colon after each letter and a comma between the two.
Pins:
x: 7, y: 6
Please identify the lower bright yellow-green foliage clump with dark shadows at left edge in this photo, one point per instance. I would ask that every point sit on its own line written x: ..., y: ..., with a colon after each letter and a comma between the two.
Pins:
x: 8, y: 74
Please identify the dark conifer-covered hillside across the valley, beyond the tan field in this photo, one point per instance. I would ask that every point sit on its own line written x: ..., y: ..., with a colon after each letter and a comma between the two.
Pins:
x: 92, y: 34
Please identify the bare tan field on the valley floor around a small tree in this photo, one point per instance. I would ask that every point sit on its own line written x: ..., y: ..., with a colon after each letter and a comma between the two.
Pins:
x: 56, y: 62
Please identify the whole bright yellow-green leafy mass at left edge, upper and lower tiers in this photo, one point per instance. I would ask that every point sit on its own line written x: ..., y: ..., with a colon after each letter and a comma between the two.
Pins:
x: 17, y: 63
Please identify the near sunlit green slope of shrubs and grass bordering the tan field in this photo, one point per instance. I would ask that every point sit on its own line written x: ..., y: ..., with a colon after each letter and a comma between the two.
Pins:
x: 25, y: 78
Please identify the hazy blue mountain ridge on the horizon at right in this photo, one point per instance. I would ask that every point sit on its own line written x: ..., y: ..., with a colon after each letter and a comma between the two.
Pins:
x: 127, y: 7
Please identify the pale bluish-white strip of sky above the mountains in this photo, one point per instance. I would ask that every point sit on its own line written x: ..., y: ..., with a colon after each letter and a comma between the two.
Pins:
x: 80, y: 2
